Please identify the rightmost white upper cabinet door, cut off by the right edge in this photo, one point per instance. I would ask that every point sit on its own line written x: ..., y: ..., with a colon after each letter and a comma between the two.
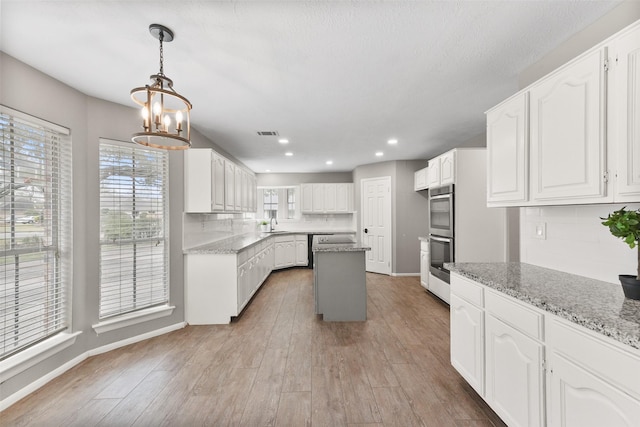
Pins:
x: 626, y: 109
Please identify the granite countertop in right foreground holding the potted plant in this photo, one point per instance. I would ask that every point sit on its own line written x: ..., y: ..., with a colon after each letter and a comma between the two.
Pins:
x: 596, y: 305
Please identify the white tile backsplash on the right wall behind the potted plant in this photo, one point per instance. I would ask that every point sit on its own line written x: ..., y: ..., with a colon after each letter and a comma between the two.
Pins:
x: 572, y: 239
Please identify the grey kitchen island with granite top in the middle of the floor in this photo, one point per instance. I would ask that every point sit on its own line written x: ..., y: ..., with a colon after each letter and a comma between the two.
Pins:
x: 340, y: 286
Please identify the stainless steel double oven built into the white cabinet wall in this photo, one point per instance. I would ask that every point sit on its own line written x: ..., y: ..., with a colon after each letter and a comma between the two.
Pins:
x: 441, y: 230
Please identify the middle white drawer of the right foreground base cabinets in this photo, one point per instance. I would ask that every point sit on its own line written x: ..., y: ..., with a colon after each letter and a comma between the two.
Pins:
x: 514, y: 313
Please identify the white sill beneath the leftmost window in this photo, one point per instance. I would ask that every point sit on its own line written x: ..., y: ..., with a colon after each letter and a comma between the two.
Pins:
x: 25, y: 359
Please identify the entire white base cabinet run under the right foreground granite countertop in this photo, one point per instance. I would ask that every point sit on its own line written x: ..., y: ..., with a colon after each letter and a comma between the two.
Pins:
x: 536, y: 369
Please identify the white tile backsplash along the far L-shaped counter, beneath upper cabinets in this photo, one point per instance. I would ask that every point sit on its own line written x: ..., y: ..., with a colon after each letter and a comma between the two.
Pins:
x: 199, y: 229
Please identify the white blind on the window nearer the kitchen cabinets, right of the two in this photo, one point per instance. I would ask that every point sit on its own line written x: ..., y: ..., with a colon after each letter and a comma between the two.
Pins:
x: 134, y: 246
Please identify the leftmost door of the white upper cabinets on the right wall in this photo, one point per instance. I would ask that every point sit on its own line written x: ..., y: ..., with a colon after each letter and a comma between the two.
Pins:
x: 508, y: 152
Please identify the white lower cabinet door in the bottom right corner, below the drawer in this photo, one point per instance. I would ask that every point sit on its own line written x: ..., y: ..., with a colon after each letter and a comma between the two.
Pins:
x: 580, y: 399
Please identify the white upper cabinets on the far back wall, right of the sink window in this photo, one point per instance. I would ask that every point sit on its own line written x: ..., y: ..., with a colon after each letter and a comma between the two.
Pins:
x: 327, y: 198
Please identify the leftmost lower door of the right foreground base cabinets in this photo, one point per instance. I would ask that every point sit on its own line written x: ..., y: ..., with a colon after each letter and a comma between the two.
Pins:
x: 467, y: 347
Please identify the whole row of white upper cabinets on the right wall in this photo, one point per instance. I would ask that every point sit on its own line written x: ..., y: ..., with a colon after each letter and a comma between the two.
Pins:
x: 583, y: 132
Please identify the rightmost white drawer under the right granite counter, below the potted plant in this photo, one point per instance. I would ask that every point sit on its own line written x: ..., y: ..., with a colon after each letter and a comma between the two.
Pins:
x: 614, y: 362
